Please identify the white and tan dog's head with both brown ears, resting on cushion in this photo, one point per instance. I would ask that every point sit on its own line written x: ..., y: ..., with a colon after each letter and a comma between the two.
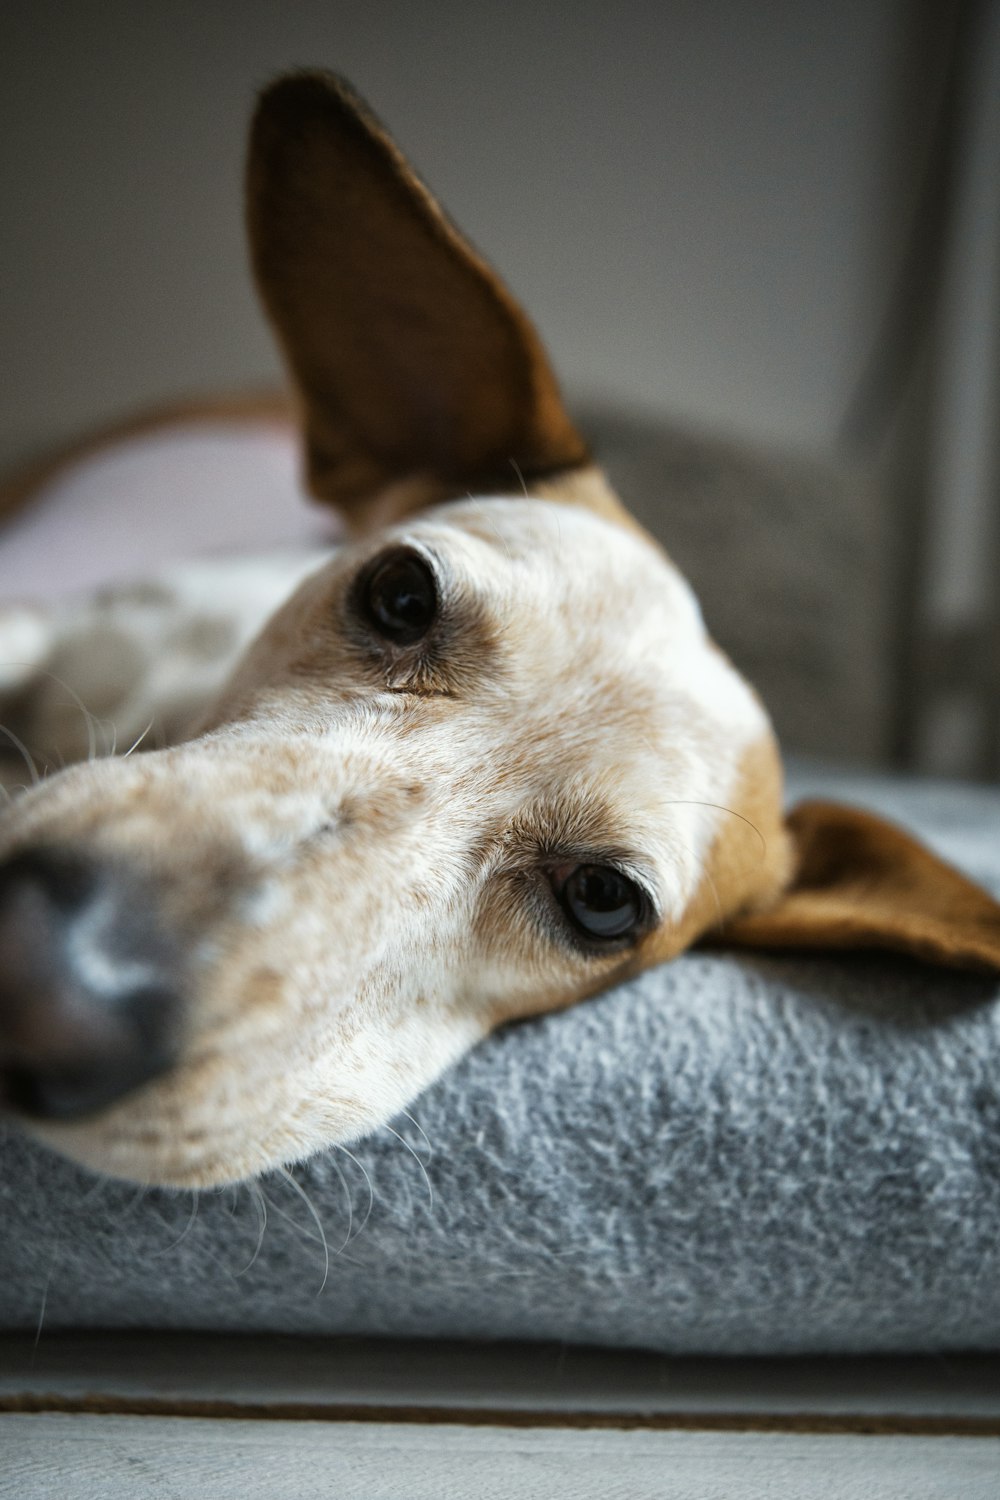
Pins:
x: 482, y: 763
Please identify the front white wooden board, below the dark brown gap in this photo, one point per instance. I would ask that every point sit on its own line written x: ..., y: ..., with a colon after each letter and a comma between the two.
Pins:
x: 119, y: 1459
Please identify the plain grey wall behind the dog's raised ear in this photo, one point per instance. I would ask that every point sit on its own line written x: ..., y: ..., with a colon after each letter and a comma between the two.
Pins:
x: 701, y: 202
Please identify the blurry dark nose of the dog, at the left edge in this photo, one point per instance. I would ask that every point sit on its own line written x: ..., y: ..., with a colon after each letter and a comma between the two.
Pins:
x: 89, y: 986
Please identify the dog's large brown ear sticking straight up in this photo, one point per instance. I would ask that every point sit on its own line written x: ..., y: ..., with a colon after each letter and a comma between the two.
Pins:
x: 415, y: 364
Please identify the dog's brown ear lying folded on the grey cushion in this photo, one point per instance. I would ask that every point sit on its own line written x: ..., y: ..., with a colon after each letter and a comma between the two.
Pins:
x: 863, y: 883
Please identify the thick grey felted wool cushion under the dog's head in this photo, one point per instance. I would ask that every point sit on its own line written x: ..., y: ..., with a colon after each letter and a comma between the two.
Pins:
x: 732, y: 1154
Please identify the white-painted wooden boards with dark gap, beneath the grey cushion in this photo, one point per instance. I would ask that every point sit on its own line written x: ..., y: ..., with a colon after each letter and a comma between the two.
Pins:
x: 106, y: 1417
